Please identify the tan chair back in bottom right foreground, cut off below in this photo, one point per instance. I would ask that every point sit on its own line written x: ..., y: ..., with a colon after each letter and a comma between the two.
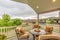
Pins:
x: 49, y: 37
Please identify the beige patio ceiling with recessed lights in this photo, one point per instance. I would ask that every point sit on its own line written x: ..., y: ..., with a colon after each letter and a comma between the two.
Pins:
x: 42, y: 6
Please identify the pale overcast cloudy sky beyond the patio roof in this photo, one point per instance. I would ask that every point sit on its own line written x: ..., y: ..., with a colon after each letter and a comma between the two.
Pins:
x: 20, y: 10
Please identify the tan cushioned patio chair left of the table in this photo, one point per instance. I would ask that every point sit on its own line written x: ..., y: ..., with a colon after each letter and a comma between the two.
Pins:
x: 22, y: 34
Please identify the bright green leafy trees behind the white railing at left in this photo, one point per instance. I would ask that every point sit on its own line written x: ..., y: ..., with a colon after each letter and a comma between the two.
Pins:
x: 7, y: 21
